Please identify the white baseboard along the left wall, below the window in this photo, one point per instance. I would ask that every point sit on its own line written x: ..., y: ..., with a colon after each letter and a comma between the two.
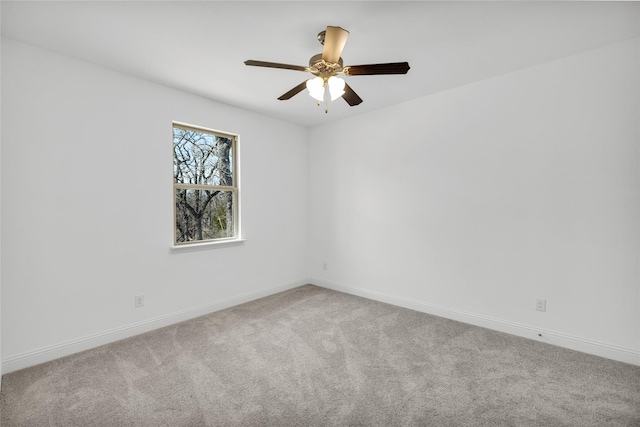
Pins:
x: 42, y: 355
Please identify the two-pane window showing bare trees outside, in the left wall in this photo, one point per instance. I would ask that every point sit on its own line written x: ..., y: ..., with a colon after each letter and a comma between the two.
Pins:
x: 205, y: 185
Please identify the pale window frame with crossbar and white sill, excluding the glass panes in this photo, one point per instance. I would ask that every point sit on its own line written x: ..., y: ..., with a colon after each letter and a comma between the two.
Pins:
x: 233, y: 189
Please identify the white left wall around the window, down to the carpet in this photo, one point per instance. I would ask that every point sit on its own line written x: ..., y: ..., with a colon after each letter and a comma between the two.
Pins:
x: 87, y: 207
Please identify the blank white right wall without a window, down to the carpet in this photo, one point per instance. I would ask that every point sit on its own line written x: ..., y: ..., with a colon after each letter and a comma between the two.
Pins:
x: 474, y: 202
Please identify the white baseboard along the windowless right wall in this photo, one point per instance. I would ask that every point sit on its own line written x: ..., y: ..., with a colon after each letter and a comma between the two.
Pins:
x: 583, y: 345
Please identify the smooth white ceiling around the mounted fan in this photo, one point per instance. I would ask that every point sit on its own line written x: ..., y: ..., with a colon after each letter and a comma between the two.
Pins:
x: 201, y: 46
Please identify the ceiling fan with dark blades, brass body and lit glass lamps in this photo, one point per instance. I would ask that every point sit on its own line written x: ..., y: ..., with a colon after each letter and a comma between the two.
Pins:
x: 326, y: 66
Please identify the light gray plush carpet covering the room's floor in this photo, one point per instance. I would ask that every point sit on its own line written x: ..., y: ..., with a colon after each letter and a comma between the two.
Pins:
x: 315, y: 357
